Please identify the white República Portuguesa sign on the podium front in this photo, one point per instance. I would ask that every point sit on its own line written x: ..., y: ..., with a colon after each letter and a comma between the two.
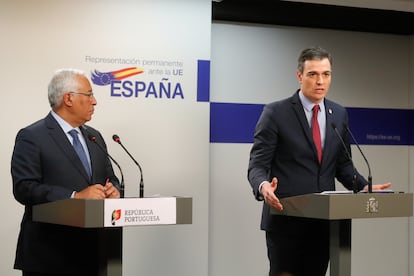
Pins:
x: 145, y: 211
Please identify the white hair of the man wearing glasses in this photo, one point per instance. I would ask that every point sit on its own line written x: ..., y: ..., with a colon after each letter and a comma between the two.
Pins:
x: 62, y: 82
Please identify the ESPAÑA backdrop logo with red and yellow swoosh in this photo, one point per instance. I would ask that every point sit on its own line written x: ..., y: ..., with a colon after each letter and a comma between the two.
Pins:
x: 152, y: 79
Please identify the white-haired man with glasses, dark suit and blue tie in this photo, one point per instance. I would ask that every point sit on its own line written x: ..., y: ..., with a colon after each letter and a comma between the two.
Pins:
x: 45, y: 167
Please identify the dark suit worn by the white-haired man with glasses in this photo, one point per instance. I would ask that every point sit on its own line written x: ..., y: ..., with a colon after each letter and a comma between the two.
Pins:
x: 46, y: 168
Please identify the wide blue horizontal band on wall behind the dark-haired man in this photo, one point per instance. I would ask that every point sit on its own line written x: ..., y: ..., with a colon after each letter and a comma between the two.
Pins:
x: 235, y: 123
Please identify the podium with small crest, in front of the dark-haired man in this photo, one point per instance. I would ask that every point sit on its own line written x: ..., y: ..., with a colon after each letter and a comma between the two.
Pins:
x: 340, y: 208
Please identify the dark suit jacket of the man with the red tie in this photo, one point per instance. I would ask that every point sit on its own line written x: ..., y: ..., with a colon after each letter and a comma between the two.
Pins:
x: 283, y: 148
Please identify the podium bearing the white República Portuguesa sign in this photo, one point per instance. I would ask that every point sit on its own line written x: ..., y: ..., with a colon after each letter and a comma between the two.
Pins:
x: 109, y: 216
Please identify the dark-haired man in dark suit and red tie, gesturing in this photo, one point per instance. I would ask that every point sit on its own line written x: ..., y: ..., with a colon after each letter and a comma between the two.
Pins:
x: 285, y: 161
